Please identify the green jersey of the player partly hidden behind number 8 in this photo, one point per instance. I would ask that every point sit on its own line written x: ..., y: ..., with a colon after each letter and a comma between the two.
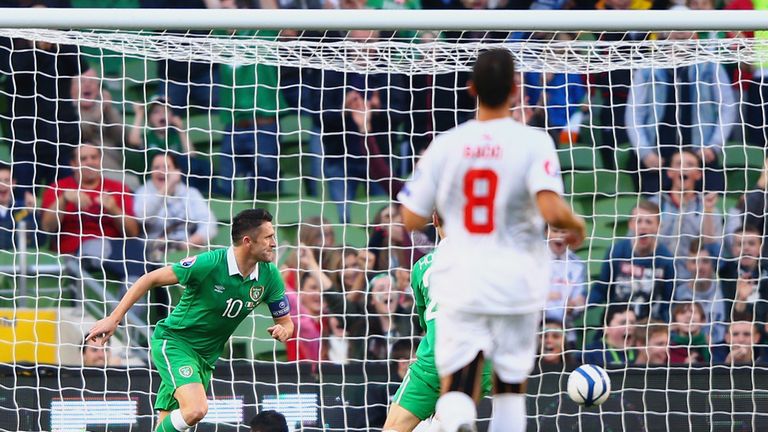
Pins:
x: 425, y: 308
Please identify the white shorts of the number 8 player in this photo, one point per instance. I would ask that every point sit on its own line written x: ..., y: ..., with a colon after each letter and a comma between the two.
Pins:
x: 507, y: 340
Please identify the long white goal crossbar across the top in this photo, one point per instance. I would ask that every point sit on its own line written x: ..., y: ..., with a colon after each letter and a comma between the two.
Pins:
x: 137, y: 19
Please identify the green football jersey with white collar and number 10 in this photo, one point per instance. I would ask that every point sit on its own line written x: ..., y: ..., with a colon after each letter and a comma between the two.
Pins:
x: 216, y: 299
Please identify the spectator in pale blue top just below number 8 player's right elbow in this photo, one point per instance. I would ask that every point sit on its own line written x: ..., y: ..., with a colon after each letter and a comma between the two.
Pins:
x: 568, y: 281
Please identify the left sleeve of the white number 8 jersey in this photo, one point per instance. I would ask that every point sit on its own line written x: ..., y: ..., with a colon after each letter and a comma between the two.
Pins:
x: 420, y: 192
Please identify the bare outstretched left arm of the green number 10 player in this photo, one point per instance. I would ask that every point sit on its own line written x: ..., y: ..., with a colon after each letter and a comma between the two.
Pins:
x: 106, y: 327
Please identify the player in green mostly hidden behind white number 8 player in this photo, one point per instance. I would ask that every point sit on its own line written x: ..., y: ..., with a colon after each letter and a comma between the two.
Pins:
x: 417, y: 396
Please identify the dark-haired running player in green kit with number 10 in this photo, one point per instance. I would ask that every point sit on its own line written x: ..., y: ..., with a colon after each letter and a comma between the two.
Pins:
x: 222, y: 287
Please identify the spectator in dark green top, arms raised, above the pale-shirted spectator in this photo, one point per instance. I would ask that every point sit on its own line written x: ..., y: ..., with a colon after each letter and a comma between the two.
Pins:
x: 164, y: 132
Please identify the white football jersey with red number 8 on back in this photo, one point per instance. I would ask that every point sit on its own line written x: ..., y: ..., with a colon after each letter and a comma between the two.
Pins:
x: 482, y: 177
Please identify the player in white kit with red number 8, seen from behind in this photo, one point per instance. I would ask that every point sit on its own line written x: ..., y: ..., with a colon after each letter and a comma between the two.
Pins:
x: 495, y: 182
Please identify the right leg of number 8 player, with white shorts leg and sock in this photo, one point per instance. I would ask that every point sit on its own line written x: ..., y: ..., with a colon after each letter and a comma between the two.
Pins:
x: 513, y: 358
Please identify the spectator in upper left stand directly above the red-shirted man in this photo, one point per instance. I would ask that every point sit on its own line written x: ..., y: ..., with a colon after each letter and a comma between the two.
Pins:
x: 102, y: 125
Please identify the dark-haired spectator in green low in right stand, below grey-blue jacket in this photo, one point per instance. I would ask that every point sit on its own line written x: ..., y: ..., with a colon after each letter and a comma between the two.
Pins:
x: 689, y: 343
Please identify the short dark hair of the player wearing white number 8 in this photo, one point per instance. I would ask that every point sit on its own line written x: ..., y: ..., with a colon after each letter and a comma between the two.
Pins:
x: 493, y: 77
